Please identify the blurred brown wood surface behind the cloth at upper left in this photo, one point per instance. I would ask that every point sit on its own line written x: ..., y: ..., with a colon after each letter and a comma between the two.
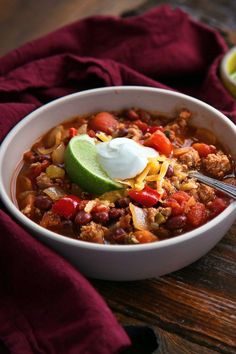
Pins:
x: 24, y: 20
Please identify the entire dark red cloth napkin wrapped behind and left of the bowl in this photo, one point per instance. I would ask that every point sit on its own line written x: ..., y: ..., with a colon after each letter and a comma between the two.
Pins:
x: 46, y: 306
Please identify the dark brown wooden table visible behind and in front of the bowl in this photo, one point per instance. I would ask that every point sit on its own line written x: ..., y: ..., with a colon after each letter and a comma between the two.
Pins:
x: 193, y: 310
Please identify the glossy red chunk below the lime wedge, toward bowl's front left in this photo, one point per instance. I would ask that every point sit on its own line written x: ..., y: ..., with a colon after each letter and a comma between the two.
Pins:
x: 66, y: 206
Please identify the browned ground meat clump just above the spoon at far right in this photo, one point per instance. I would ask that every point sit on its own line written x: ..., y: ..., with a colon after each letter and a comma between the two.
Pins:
x: 217, y: 165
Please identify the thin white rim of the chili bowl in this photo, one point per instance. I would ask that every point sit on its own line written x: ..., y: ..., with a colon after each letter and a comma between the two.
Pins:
x: 34, y: 227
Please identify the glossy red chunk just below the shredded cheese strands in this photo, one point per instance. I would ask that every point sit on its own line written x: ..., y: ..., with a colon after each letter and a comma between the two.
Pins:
x: 147, y: 196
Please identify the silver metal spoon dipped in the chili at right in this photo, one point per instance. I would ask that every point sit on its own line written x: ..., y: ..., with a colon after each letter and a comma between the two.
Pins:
x: 228, y: 189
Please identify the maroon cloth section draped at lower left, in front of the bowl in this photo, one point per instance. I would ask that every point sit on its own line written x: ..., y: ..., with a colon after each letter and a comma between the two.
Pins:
x: 46, y: 306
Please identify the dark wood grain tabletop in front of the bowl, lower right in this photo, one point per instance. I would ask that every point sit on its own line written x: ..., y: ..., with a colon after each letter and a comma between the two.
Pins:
x: 192, y: 310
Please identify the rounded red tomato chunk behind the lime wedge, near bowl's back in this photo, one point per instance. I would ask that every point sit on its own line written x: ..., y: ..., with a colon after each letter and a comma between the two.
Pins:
x: 104, y: 122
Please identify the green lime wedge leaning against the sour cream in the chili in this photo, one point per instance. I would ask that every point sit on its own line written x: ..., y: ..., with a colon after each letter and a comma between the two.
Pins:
x: 83, y: 168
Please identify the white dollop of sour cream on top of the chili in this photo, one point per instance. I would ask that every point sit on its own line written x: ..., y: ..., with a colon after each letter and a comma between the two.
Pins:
x: 123, y: 158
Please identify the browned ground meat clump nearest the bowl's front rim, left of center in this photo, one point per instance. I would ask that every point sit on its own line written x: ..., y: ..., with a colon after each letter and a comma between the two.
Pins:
x: 92, y: 232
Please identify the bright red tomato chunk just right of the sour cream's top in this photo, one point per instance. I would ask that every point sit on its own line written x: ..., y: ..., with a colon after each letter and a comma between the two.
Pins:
x: 159, y: 142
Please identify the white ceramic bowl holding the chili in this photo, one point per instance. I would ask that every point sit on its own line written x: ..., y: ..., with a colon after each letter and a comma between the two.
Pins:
x: 117, y: 262
